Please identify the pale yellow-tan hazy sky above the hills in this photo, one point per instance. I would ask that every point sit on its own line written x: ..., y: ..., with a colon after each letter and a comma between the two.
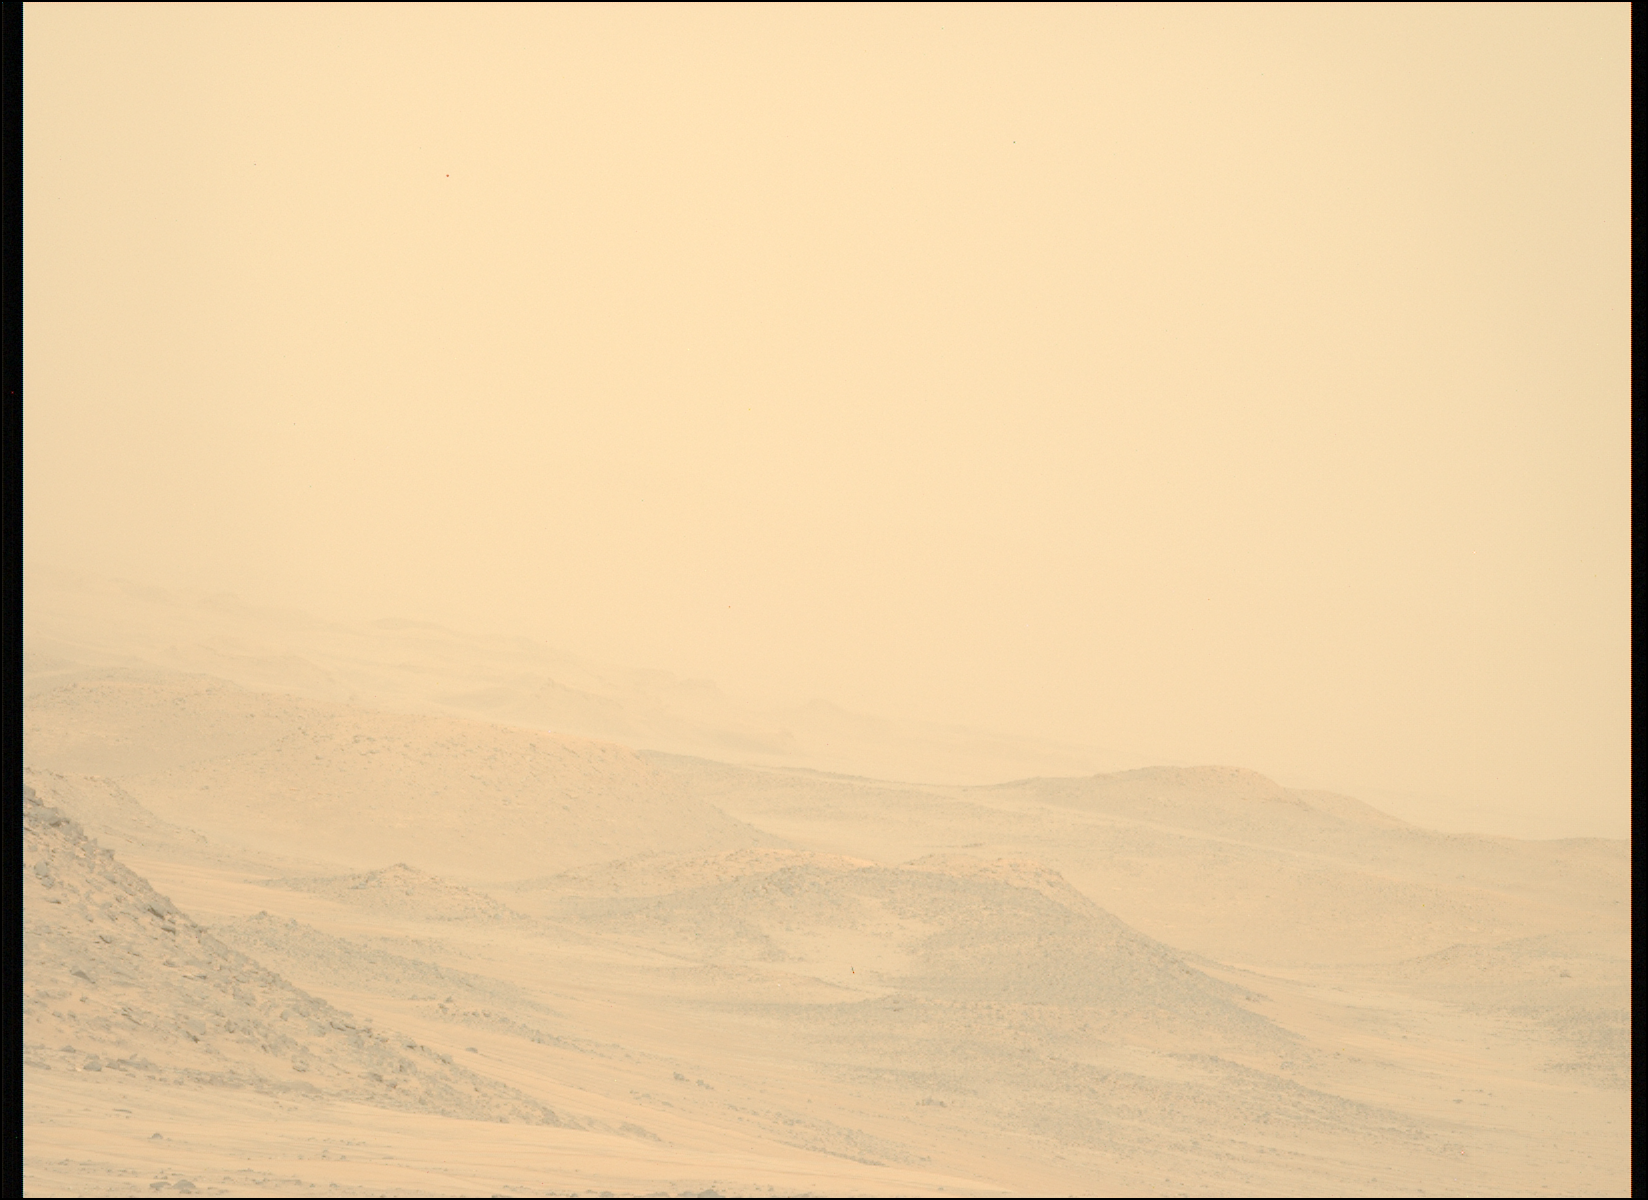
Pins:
x: 1238, y: 385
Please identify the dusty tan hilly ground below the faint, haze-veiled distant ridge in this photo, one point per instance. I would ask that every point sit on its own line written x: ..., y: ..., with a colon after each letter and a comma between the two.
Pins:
x: 286, y: 944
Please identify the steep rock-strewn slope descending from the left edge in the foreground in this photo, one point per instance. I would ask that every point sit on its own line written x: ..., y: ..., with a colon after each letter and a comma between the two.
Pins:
x: 119, y: 980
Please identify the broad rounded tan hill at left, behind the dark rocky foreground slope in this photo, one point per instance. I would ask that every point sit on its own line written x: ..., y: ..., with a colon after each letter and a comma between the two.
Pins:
x: 367, y: 789
